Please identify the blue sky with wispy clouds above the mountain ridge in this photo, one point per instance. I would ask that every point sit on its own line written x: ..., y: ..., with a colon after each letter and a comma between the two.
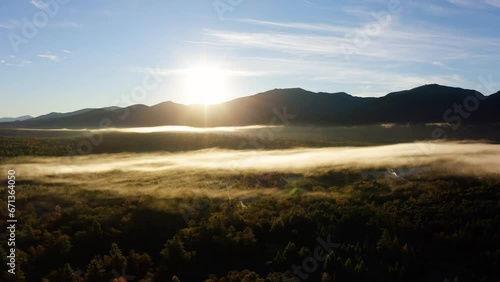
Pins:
x: 98, y: 53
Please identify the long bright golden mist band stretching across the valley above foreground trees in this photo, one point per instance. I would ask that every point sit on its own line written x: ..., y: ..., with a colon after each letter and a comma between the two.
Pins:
x: 459, y: 157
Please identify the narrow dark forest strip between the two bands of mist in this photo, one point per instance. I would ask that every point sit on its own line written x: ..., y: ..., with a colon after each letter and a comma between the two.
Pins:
x: 71, y: 144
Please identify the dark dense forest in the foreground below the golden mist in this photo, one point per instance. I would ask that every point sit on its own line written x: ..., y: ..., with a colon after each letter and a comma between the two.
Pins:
x: 320, y: 228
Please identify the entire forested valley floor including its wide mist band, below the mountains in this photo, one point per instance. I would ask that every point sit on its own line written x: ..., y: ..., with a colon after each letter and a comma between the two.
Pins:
x: 198, y: 207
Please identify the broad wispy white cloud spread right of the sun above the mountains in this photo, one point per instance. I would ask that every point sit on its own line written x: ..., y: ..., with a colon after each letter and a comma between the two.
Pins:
x: 384, y: 63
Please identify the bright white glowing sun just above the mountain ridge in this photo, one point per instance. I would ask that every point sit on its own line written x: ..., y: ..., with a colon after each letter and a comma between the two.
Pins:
x: 205, y: 84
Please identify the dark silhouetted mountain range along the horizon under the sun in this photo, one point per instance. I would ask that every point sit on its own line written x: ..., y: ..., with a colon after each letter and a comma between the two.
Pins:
x: 430, y: 103
